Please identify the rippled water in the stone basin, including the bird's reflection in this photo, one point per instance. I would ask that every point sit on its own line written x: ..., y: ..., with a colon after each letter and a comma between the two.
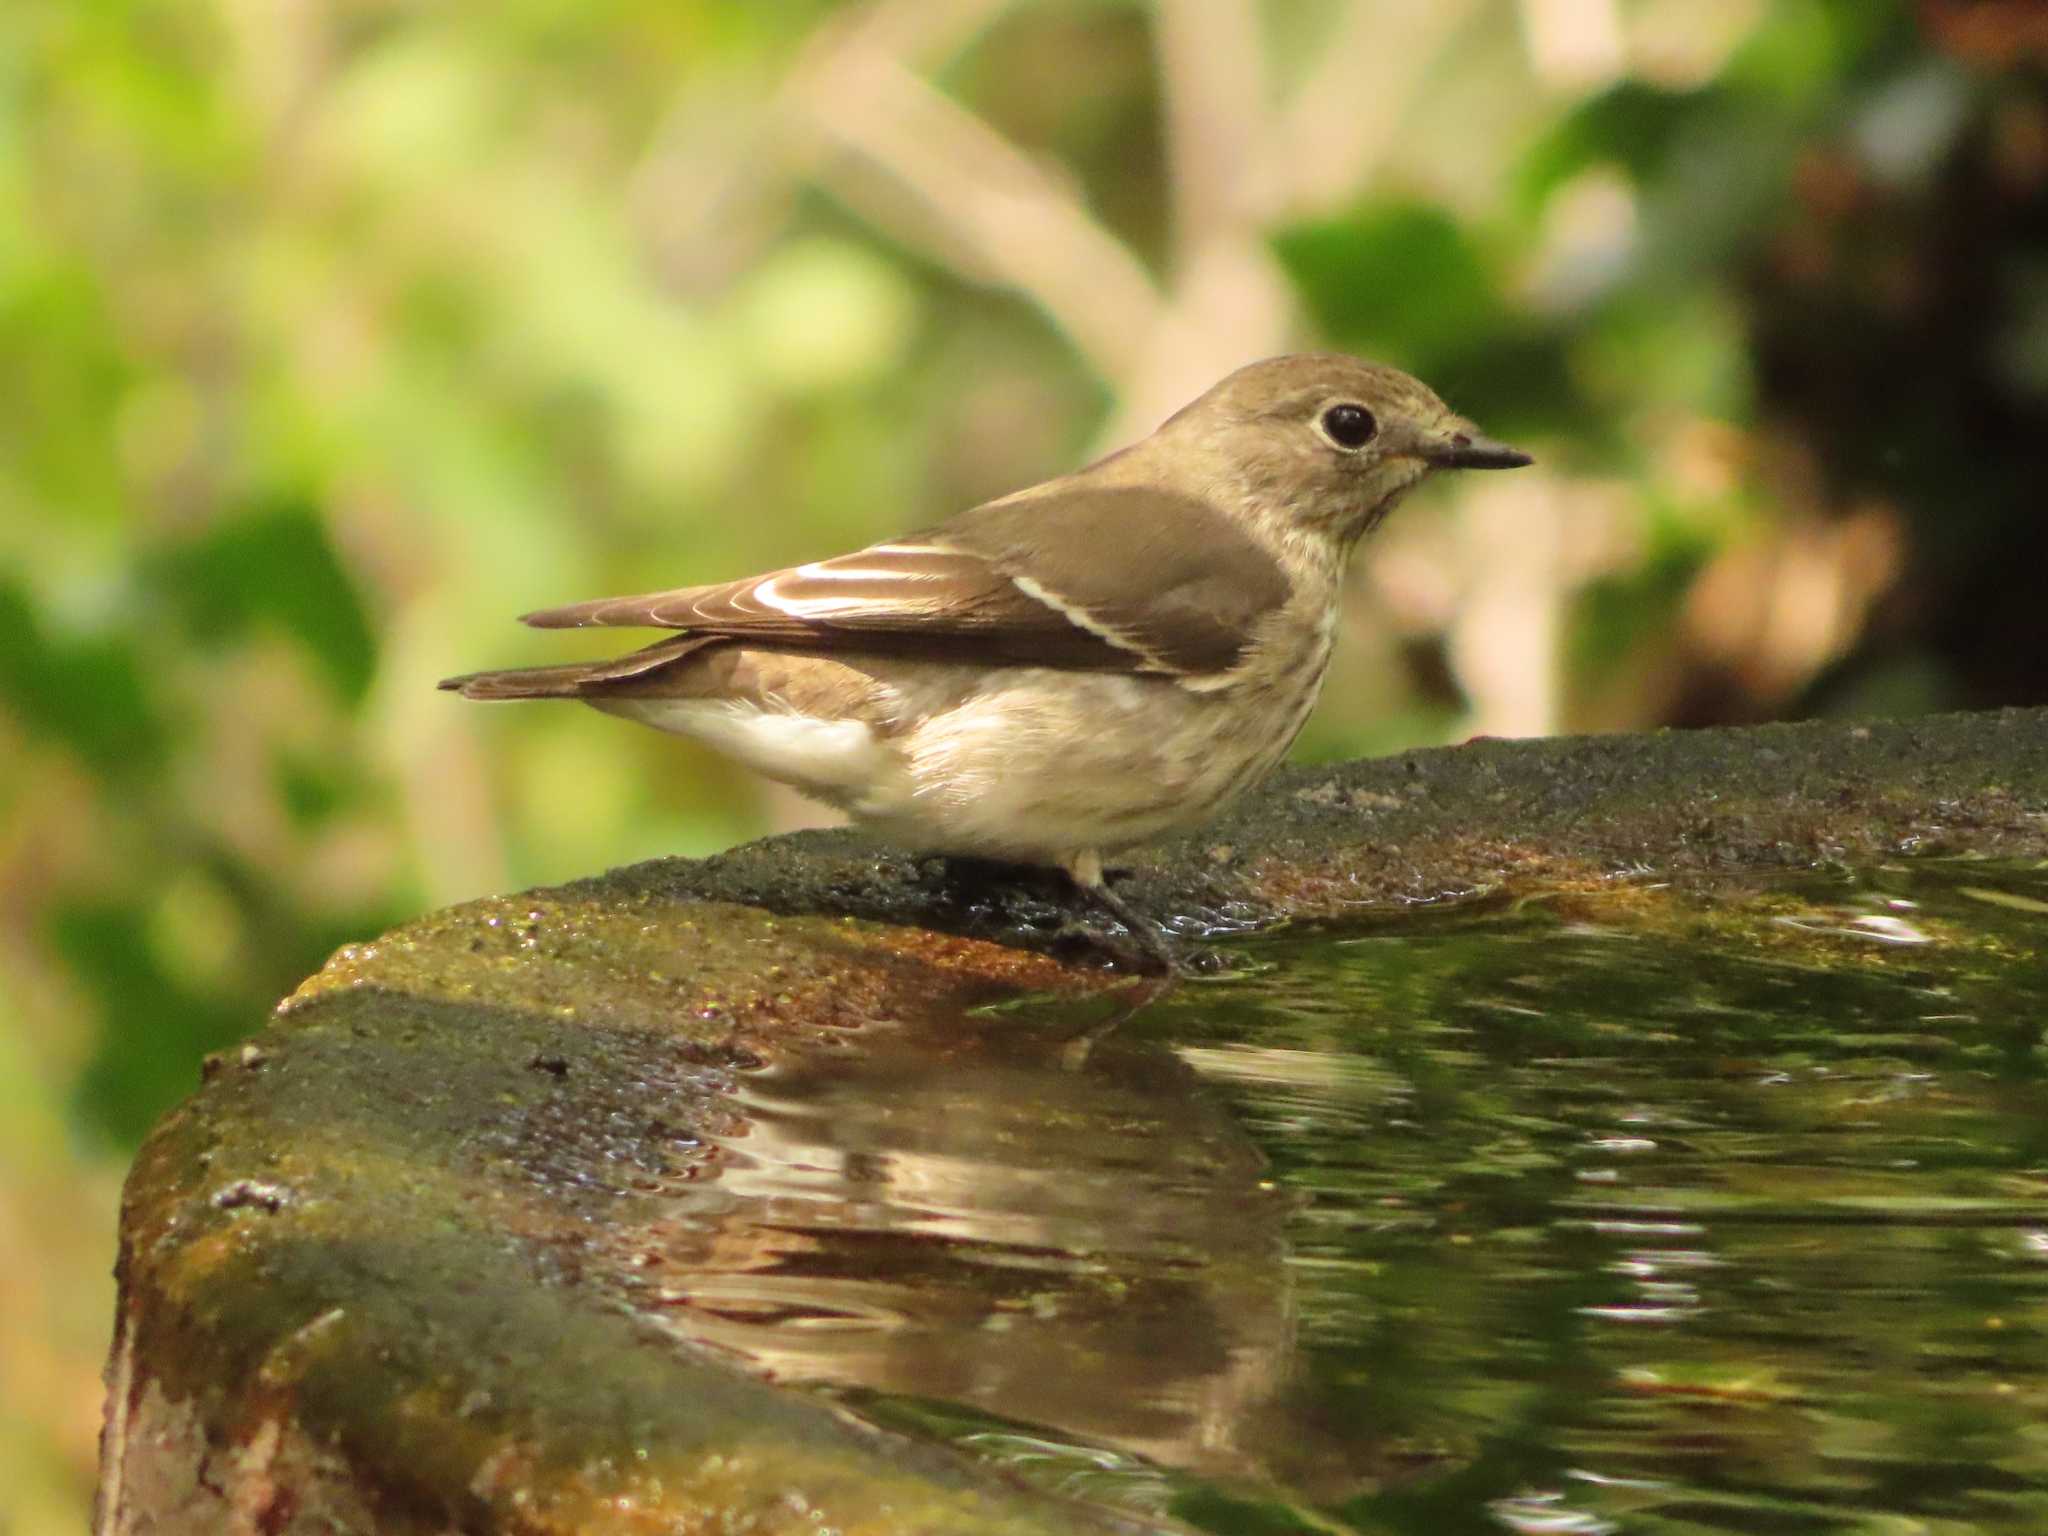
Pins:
x: 1605, y: 1213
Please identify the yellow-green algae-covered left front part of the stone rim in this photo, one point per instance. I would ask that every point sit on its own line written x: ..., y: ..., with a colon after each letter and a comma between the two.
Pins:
x: 359, y: 1256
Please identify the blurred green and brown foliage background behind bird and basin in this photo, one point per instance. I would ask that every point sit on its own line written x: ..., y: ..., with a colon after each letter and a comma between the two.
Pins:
x: 337, y: 333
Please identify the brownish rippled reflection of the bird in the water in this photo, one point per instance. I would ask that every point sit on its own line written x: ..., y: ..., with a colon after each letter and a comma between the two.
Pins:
x: 974, y: 1213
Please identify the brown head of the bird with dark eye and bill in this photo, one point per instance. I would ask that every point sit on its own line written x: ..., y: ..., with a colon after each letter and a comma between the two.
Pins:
x: 1328, y: 443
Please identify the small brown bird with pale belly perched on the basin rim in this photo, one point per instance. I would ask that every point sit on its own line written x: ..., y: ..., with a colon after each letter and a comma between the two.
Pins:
x: 1066, y: 671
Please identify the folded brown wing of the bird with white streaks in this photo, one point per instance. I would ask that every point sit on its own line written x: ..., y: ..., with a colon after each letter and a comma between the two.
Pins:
x: 1091, y: 579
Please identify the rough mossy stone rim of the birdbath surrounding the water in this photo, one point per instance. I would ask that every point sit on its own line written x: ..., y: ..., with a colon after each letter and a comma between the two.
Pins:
x: 386, y: 1269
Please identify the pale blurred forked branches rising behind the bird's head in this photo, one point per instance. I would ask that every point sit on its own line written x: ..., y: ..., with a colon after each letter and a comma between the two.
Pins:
x: 859, y: 116
